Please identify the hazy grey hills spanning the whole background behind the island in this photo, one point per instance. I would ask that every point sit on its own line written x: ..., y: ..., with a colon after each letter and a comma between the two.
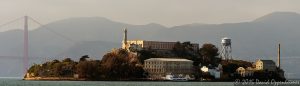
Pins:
x: 95, y: 35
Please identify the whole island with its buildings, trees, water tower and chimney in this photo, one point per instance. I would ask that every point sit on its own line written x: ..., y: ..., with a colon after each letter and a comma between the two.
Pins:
x: 141, y: 60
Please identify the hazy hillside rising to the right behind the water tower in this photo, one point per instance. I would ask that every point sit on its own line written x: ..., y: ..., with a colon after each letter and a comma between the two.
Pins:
x: 258, y: 38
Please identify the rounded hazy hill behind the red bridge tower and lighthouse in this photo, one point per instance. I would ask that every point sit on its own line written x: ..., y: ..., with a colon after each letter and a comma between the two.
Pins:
x: 46, y: 43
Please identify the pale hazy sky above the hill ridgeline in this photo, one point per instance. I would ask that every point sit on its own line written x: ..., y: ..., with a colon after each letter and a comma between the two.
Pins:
x: 165, y: 12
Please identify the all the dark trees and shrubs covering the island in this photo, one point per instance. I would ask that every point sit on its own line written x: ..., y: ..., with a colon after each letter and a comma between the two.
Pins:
x: 119, y: 64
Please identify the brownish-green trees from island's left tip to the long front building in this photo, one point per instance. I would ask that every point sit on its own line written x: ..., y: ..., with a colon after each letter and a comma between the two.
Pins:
x: 116, y: 65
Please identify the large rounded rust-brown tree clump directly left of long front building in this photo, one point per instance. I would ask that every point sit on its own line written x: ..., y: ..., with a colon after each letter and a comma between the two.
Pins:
x: 121, y: 65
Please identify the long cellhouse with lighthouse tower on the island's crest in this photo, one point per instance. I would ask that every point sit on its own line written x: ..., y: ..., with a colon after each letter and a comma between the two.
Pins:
x: 156, y: 45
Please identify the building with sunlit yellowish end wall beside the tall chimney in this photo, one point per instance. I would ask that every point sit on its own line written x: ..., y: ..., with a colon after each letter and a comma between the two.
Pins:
x: 266, y: 65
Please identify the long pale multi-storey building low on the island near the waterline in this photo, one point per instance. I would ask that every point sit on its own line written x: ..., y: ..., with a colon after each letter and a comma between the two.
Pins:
x: 158, y: 68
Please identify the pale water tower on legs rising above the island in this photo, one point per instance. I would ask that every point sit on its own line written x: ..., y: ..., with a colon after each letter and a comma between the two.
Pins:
x: 226, y: 49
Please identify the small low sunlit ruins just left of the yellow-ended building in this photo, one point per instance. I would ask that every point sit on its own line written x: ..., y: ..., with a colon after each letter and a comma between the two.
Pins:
x: 248, y: 72
